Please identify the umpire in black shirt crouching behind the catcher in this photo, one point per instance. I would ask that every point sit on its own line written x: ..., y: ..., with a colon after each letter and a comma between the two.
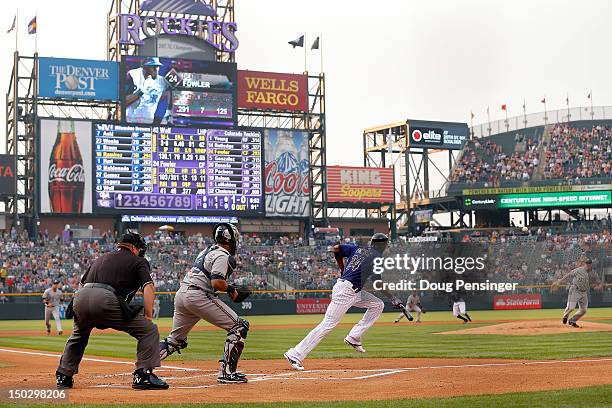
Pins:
x: 108, y: 286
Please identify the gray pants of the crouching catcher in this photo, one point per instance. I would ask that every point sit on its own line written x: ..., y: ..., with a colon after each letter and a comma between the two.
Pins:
x: 192, y: 305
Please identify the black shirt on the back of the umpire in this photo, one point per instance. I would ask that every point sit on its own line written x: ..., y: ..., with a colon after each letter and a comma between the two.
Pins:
x: 120, y: 269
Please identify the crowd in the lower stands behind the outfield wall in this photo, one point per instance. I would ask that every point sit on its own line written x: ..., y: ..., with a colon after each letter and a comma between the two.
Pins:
x: 528, y: 256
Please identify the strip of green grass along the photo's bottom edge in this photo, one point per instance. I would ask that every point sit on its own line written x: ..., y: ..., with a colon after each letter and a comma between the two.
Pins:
x: 592, y: 397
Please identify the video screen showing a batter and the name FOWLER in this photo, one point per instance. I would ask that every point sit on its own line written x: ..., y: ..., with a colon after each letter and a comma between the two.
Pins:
x: 180, y: 92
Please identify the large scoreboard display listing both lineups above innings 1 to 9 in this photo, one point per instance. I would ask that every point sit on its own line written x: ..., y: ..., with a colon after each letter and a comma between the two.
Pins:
x: 190, y: 170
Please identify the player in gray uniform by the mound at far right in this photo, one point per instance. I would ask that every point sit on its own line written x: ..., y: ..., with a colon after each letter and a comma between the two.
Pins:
x: 579, y: 291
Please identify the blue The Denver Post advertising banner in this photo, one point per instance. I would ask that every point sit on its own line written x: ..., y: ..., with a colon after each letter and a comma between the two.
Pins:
x: 78, y: 79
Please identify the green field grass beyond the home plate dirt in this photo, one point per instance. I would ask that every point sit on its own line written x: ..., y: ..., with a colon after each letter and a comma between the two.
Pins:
x: 401, y: 340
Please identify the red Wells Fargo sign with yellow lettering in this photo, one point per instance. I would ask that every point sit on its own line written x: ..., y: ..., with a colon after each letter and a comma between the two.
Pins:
x: 273, y: 91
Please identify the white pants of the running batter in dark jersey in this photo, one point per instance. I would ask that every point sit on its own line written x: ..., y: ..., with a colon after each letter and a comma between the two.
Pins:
x: 343, y: 297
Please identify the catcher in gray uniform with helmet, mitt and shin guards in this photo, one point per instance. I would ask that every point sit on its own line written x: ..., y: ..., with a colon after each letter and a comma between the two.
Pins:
x: 197, y: 299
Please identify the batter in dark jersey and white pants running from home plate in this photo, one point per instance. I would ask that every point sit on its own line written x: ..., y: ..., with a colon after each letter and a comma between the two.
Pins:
x: 348, y: 292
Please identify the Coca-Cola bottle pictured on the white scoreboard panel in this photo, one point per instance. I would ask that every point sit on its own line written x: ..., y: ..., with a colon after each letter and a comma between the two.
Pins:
x: 66, y: 172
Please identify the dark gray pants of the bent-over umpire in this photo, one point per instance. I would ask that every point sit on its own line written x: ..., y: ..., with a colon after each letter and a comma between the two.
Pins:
x: 99, y: 308
